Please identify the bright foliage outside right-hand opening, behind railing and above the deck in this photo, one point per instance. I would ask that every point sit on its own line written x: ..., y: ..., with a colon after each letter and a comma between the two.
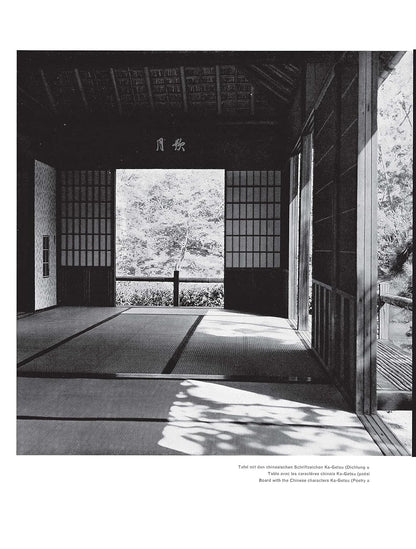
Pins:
x: 395, y: 202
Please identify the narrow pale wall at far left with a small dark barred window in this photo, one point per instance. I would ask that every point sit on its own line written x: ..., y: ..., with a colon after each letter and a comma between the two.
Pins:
x: 45, y: 224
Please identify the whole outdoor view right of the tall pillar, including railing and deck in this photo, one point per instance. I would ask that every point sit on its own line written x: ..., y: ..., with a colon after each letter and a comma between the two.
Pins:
x: 395, y: 249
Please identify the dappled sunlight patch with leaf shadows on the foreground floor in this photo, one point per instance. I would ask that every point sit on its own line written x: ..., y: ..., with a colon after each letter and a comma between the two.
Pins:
x: 221, y: 419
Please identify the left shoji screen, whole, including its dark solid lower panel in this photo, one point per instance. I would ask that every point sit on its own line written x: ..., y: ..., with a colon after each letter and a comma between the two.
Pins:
x: 86, y: 237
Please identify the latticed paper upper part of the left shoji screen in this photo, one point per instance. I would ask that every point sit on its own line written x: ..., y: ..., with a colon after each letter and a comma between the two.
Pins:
x: 86, y: 218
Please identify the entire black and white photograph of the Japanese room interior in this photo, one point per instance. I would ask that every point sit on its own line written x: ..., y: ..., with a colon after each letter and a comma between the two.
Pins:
x: 214, y: 252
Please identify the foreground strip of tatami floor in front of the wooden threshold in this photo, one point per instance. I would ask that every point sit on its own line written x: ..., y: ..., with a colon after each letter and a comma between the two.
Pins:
x: 188, y: 417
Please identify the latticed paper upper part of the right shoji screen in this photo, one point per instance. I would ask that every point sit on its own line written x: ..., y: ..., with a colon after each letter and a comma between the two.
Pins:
x: 252, y: 226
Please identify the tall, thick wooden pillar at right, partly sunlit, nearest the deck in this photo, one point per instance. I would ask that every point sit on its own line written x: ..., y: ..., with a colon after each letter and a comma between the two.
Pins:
x: 366, y: 299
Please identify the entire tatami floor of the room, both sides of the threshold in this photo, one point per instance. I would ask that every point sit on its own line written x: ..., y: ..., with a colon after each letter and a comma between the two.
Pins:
x: 177, y: 413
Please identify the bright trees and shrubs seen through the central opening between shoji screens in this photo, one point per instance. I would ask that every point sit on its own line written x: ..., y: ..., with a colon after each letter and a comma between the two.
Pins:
x: 170, y: 220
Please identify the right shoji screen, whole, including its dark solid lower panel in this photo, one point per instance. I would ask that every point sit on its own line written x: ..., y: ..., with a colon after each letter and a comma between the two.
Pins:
x: 253, y: 278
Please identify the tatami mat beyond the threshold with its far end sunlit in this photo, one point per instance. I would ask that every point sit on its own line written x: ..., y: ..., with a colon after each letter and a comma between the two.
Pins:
x: 231, y: 344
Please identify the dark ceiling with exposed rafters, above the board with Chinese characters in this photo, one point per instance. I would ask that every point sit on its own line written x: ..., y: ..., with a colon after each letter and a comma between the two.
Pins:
x: 61, y: 88
